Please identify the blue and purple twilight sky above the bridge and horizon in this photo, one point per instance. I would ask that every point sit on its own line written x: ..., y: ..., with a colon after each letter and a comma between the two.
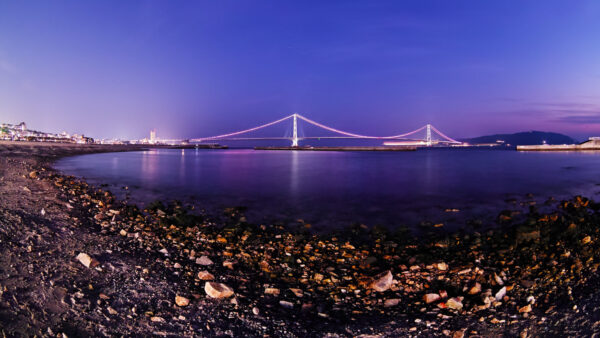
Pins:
x: 199, y: 68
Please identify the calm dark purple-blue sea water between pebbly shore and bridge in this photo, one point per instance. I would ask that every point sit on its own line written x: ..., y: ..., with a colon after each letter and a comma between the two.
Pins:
x: 336, y: 189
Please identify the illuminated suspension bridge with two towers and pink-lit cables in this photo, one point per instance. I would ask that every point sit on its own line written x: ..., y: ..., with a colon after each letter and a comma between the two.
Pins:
x: 430, y: 135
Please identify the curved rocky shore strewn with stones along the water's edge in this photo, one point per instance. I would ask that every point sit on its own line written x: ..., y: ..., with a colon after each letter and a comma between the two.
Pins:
x: 78, y: 262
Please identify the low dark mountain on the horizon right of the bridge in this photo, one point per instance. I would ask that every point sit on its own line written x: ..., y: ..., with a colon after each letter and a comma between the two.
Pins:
x: 524, y: 138
